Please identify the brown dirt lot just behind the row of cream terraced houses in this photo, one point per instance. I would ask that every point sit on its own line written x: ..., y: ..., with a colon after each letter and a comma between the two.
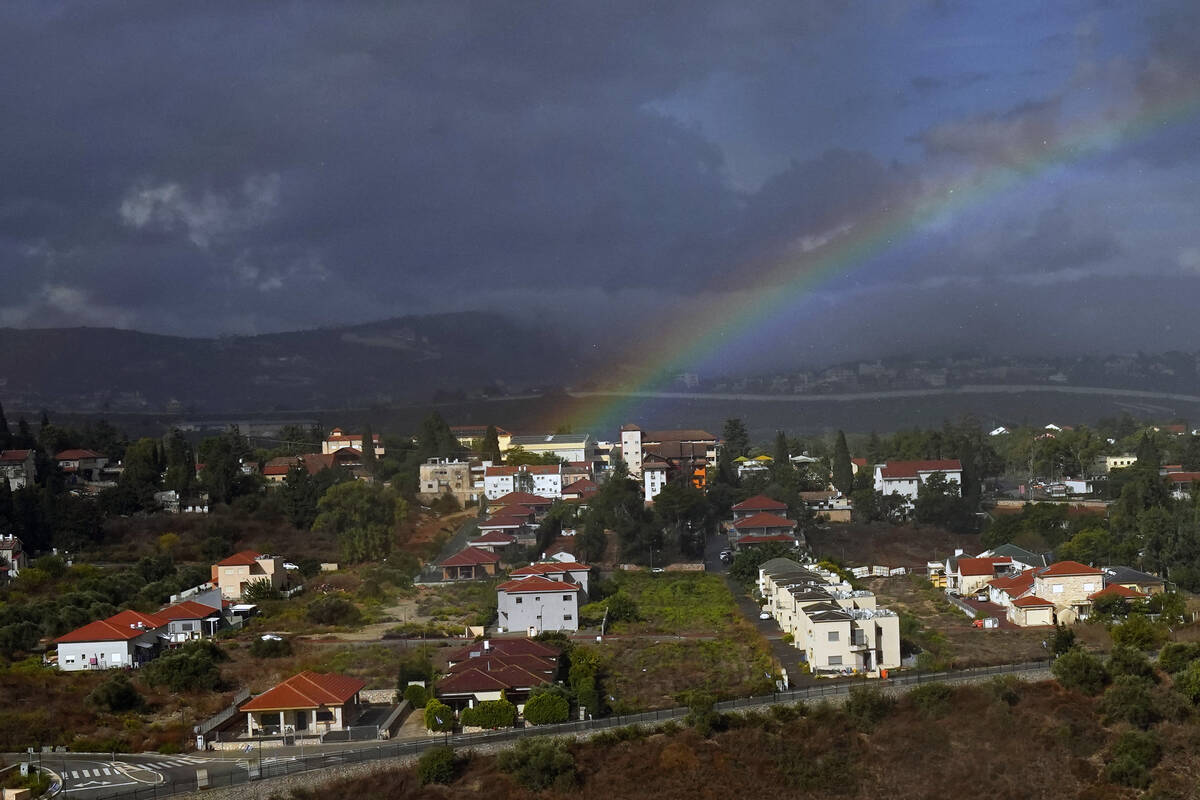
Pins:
x: 865, y: 545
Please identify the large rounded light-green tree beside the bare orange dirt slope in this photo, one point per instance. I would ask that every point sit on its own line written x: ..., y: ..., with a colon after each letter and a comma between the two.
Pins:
x: 363, y: 516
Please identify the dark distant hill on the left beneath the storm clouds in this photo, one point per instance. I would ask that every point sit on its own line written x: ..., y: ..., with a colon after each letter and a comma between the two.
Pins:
x: 404, y: 360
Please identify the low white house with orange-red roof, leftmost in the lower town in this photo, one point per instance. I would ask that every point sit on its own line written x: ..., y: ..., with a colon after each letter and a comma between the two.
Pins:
x: 127, y: 640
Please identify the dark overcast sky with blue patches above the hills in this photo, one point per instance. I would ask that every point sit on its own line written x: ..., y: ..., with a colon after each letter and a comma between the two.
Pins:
x: 207, y: 169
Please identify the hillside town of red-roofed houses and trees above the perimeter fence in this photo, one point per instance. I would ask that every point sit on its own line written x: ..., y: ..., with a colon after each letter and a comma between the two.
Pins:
x: 214, y: 603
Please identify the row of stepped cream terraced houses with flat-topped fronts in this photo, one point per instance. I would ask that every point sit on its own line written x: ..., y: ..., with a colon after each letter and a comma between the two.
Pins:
x: 837, y: 628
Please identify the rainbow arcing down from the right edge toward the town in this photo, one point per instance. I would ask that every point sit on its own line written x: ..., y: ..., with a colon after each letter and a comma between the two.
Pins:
x: 781, y: 284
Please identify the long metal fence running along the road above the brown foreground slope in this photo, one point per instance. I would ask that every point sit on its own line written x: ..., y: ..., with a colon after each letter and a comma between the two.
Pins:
x: 269, y: 767
